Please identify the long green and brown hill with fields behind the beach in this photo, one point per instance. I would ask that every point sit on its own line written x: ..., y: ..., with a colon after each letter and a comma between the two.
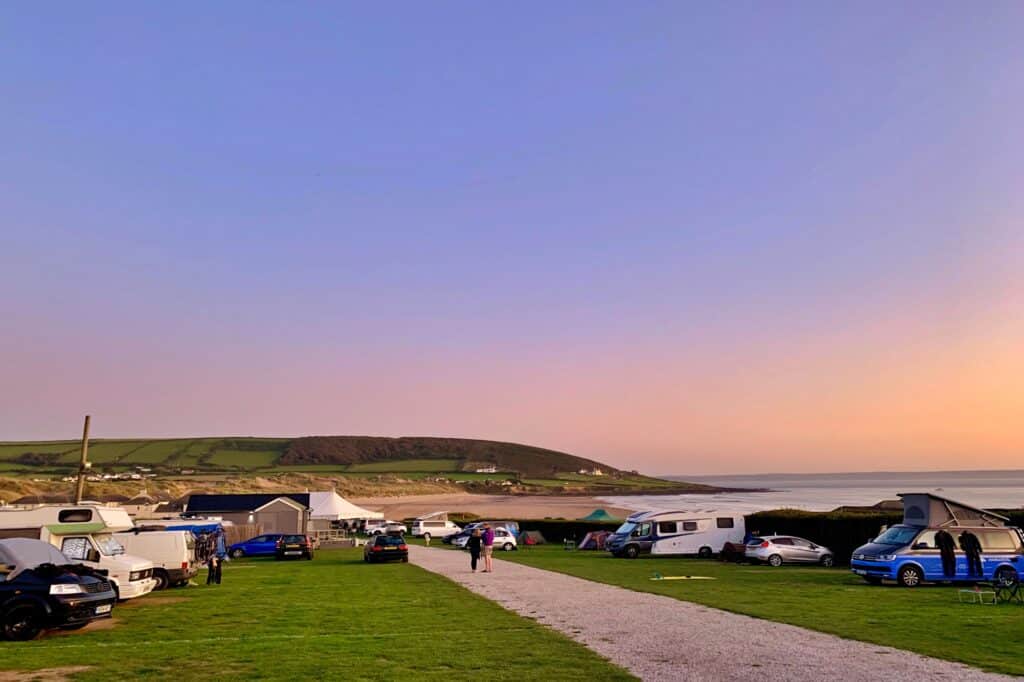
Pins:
x: 449, y: 461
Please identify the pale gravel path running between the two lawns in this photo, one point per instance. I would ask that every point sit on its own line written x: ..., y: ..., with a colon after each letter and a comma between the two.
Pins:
x: 662, y: 638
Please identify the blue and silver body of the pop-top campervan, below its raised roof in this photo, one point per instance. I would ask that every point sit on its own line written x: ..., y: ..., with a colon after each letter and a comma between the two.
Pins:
x: 910, y: 556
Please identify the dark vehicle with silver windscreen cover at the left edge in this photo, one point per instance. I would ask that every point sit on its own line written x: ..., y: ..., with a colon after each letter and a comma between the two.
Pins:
x: 40, y: 590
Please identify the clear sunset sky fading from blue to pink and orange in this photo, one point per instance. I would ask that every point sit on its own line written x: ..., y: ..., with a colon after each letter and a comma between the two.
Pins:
x: 682, y: 238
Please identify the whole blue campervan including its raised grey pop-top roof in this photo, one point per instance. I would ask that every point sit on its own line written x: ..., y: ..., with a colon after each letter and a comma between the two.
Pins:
x: 909, y: 555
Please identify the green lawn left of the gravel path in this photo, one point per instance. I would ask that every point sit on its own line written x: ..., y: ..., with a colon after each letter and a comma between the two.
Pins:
x: 334, y: 618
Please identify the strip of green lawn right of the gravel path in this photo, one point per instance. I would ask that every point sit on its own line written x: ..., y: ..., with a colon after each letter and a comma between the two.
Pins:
x: 927, y: 620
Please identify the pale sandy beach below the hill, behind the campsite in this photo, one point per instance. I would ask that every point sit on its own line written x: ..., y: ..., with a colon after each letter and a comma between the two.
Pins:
x: 505, y: 506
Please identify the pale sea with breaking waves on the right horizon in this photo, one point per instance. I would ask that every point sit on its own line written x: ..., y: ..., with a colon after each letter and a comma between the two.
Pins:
x: 989, y: 490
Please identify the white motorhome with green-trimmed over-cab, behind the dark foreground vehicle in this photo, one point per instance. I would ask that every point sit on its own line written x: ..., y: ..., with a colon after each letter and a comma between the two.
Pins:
x: 84, y: 533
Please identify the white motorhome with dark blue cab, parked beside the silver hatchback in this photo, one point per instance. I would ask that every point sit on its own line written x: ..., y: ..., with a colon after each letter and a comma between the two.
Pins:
x: 680, y: 533
